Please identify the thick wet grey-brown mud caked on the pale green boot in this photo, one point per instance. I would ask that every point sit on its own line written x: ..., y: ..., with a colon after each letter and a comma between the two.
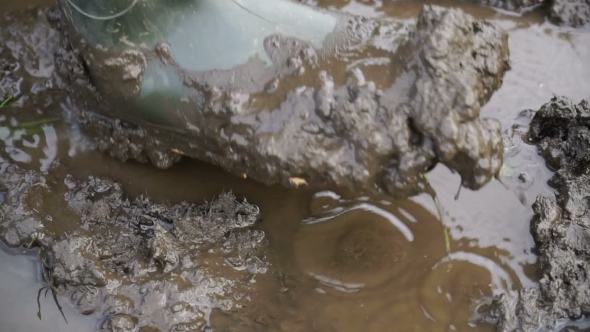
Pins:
x: 364, y: 131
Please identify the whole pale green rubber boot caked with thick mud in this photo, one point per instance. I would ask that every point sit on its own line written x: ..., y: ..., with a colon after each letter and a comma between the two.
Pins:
x: 284, y: 93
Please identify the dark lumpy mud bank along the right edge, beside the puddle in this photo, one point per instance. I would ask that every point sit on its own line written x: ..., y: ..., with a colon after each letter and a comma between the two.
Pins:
x: 561, y: 130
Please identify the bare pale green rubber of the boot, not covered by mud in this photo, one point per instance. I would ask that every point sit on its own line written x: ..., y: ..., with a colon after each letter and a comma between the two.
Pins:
x: 195, y: 35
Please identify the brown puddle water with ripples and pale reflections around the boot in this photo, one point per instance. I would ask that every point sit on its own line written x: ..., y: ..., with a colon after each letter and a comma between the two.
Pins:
x: 349, y: 263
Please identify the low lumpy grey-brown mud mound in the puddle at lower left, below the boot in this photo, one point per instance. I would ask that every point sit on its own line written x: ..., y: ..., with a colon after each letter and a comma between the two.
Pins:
x: 137, y: 264
